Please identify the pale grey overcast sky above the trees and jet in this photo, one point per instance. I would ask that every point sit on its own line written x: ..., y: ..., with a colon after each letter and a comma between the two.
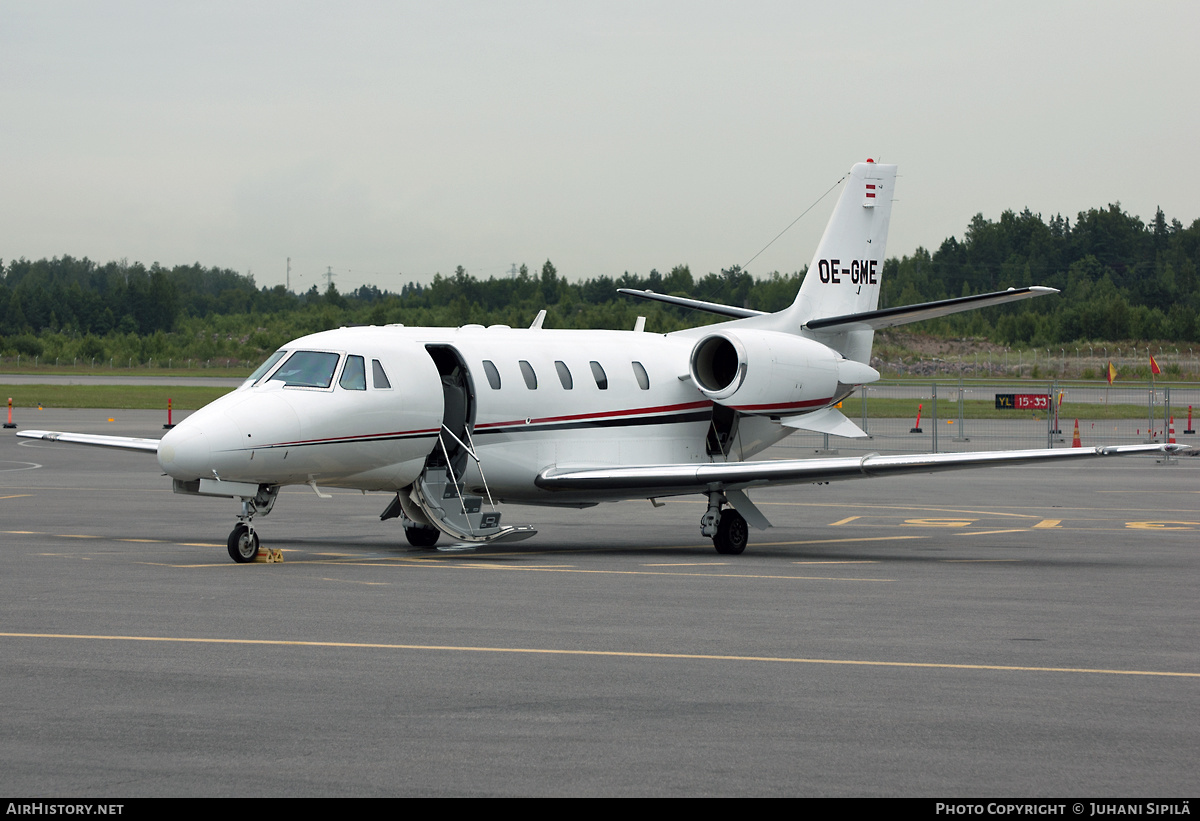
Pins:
x: 395, y: 140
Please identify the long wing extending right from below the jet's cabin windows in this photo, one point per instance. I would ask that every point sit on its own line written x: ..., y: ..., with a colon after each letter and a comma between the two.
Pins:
x: 680, y: 480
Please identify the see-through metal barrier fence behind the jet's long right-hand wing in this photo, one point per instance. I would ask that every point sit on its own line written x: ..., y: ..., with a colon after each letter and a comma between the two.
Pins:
x: 961, y: 416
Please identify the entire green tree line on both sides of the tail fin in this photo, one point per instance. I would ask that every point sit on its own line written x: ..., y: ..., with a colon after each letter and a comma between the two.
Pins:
x: 1121, y: 280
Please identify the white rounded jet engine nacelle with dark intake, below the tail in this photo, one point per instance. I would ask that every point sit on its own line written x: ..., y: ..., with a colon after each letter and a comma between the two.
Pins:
x: 773, y: 374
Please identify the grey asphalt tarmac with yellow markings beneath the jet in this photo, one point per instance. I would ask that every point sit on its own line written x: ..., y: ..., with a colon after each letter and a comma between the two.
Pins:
x: 1013, y: 632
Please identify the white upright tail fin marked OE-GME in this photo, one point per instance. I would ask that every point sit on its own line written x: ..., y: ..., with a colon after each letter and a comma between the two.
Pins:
x: 848, y: 266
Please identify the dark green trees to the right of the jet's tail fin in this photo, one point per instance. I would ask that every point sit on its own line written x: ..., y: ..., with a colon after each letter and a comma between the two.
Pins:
x: 1120, y: 278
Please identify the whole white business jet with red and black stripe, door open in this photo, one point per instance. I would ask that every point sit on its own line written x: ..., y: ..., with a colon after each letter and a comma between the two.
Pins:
x: 451, y: 422
